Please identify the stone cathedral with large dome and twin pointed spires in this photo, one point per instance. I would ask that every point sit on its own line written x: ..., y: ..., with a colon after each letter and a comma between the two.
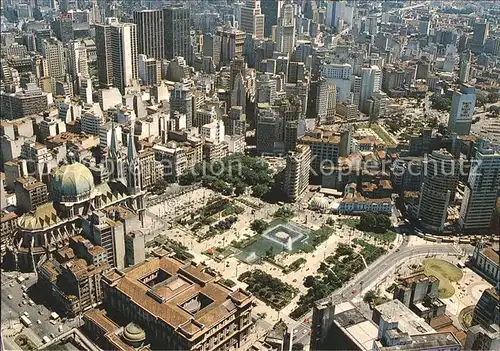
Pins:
x: 78, y: 206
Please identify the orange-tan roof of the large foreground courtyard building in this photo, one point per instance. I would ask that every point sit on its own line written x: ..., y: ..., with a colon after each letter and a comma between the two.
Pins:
x: 183, y: 296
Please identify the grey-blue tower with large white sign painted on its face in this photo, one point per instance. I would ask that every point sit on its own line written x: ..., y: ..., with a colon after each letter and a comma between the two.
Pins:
x: 462, y: 110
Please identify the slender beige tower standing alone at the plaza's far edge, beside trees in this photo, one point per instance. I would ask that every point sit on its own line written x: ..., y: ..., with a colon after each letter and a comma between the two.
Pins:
x: 296, y: 173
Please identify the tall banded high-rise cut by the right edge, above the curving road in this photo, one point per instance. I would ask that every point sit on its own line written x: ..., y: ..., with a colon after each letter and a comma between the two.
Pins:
x: 481, y: 191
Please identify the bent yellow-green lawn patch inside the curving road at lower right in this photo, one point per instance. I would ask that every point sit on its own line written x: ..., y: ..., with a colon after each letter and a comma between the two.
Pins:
x: 446, y: 272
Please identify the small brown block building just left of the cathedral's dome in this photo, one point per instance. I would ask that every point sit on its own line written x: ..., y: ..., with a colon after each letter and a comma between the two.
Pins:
x: 30, y: 193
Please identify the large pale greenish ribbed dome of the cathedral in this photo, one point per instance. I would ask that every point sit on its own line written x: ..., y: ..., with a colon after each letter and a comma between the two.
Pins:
x: 72, y: 182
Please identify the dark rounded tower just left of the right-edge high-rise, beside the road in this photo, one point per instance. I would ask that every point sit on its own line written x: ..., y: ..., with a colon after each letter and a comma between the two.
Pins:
x: 438, y: 189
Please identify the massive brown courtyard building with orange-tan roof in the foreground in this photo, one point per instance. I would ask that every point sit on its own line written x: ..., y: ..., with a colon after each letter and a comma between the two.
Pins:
x: 180, y: 306
